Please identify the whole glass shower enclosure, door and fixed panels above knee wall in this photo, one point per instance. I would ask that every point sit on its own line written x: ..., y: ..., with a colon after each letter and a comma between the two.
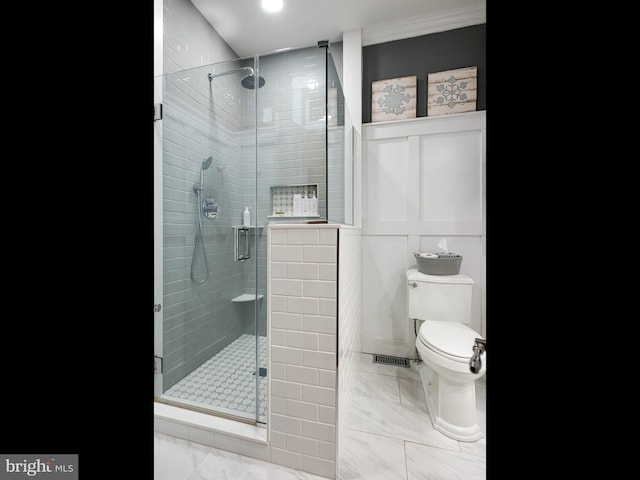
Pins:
x: 240, y: 135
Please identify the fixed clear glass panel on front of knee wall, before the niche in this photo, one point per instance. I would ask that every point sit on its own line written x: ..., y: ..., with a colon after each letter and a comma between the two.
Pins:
x: 292, y: 134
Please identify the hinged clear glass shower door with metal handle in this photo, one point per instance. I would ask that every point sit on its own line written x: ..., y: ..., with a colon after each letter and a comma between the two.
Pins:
x: 210, y: 327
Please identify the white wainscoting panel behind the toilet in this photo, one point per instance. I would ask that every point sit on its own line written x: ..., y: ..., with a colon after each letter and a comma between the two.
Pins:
x: 424, y: 181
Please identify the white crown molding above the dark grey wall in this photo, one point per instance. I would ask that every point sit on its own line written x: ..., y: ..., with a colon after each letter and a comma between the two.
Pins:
x: 416, y: 27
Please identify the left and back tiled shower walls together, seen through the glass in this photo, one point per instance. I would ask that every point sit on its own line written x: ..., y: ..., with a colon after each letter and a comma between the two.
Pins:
x: 217, y: 118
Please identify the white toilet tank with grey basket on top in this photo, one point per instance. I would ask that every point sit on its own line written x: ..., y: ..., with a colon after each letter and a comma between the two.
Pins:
x: 439, y: 297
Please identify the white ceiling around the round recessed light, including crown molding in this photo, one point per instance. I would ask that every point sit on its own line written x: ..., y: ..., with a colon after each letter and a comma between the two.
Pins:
x: 248, y: 29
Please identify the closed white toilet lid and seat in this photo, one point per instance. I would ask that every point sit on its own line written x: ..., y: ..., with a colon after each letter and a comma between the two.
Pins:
x: 452, y: 340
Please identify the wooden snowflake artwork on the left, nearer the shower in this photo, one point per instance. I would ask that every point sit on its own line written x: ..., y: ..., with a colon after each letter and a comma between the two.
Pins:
x: 393, y: 99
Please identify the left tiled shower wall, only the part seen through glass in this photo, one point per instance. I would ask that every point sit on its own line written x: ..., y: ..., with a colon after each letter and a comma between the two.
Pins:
x: 199, y: 319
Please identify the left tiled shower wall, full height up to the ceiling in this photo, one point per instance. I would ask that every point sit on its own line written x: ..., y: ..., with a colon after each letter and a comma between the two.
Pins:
x: 197, y: 123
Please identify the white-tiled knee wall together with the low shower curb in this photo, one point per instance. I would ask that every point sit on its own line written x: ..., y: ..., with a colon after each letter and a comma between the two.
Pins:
x: 303, y: 342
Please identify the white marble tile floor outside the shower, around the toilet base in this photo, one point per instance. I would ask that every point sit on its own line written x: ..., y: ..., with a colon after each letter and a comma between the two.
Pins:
x: 389, y: 436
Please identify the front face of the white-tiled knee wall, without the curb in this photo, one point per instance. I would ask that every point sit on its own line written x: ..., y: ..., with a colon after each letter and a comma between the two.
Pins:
x: 303, y: 347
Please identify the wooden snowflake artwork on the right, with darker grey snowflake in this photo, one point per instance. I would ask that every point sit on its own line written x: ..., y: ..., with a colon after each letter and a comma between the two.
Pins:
x: 452, y: 91
